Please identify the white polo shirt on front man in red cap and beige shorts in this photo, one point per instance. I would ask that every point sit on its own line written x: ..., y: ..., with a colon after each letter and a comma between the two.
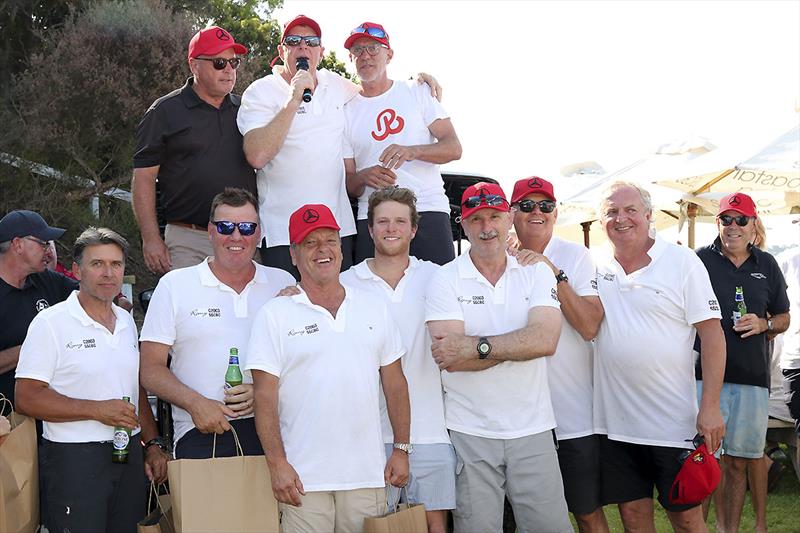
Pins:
x: 329, y: 384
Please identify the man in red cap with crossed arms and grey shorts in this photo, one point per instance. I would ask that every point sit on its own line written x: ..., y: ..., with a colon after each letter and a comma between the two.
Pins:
x: 493, y: 322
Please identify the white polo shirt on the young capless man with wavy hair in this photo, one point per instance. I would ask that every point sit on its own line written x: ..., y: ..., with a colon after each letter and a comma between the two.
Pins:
x: 407, y: 307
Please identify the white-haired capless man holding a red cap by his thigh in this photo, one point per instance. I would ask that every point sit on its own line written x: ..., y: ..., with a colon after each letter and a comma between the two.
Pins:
x: 656, y: 297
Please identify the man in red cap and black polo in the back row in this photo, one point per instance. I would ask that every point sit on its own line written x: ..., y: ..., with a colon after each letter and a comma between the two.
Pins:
x: 189, y: 142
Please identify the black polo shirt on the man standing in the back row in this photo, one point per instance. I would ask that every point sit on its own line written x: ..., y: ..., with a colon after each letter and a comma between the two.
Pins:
x: 198, y: 149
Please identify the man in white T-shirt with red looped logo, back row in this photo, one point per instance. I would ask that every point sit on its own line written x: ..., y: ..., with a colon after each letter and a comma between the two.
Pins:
x: 397, y: 134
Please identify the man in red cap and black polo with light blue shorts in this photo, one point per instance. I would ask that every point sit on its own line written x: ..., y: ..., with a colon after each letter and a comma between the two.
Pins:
x: 751, y: 291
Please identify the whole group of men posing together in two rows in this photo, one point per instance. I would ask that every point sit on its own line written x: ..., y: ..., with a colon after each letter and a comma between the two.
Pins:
x: 535, y: 373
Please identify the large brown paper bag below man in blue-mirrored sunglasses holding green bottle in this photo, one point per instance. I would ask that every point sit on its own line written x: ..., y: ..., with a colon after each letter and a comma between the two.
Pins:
x: 222, y: 494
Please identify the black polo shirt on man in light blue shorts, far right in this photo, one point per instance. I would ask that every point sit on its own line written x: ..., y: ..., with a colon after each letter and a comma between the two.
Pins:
x: 764, y: 289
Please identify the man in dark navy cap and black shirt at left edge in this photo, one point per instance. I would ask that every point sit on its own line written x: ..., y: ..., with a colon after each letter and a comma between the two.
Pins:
x: 26, y: 285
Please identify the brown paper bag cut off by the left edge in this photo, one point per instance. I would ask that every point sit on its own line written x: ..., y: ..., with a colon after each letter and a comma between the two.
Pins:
x: 19, y: 474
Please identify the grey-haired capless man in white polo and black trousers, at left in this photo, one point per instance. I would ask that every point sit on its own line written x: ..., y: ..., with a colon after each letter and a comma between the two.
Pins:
x: 77, y: 367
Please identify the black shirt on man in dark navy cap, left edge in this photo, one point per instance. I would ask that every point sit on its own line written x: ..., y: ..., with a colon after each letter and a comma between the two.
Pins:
x: 18, y: 307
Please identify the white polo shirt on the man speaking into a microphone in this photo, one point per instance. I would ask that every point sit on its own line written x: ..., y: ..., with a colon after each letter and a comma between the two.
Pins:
x: 309, y: 167
